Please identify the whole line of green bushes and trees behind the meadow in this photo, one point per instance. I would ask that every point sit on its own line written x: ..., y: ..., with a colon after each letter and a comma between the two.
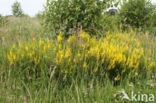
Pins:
x: 93, y: 16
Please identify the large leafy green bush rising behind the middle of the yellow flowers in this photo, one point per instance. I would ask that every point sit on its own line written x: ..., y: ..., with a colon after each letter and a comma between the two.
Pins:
x: 69, y: 16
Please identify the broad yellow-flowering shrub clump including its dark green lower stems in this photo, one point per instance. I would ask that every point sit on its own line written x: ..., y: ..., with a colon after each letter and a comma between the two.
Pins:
x: 116, y: 55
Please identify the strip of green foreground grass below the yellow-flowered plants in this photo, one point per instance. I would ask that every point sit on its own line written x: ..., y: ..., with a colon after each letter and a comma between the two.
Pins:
x: 78, y: 92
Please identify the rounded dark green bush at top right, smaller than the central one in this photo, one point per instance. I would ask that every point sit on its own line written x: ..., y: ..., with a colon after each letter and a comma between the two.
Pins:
x: 136, y: 13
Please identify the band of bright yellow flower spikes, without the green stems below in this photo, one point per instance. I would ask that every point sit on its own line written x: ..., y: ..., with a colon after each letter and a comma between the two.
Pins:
x: 113, y: 52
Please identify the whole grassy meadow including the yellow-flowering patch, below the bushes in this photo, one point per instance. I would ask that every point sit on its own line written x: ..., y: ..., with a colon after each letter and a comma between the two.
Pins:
x: 79, y: 69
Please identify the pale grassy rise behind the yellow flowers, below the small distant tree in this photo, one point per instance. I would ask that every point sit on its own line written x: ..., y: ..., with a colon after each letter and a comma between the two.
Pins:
x: 19, y: 29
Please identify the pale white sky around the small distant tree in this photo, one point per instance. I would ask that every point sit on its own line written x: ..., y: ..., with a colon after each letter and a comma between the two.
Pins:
x: 30, y: 7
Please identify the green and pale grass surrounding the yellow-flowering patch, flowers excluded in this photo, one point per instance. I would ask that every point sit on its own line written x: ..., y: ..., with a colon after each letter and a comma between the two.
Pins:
x: 51, y: 89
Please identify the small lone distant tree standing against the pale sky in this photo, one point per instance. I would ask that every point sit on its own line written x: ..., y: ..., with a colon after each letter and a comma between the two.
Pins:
x: 17, y: 10
